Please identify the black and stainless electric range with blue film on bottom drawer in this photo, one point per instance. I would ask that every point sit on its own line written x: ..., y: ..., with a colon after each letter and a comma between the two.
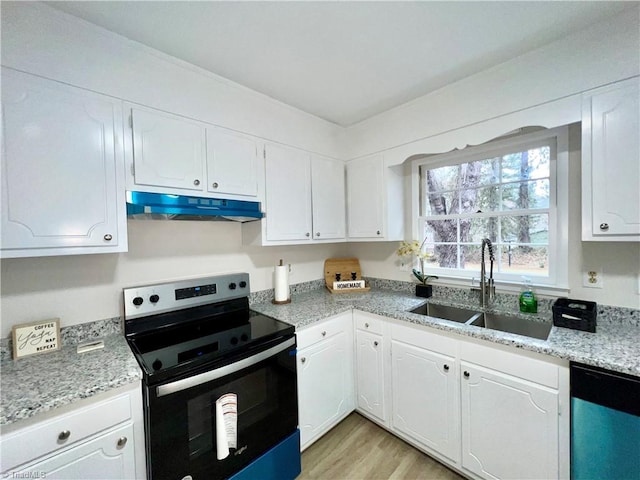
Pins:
x: 219, y: 383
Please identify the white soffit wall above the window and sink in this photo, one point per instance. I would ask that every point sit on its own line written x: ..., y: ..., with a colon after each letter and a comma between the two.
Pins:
x: 601, y: 54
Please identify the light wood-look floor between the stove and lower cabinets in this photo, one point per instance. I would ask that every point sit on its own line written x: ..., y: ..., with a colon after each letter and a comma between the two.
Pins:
x: 359, y: 449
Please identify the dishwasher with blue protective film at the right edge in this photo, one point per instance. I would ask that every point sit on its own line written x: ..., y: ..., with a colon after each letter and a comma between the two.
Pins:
x: 605, y: 424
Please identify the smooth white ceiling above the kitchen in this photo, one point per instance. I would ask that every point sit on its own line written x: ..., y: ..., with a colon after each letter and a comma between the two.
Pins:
x: 343, y: 61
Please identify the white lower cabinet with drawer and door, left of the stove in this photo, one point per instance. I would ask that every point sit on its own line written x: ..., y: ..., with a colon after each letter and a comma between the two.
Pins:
x: 102, y: 437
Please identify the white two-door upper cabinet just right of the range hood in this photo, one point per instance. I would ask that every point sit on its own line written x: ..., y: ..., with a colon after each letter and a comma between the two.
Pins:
x: 304, y: 199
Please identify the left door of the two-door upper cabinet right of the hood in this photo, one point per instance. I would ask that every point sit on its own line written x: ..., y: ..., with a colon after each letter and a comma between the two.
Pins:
x: 288, y: 194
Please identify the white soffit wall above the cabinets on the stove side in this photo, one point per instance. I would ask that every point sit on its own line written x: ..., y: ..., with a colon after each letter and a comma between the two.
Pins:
x: 44, y: 41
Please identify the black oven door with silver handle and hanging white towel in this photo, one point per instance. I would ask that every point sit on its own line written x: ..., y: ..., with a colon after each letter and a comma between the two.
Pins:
x: 182, y: 431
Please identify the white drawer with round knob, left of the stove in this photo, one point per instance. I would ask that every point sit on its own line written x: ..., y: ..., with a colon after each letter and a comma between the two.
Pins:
x: 29, y: 443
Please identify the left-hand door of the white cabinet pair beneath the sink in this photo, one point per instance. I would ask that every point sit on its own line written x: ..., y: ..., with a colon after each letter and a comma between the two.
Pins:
x: 425, y: 397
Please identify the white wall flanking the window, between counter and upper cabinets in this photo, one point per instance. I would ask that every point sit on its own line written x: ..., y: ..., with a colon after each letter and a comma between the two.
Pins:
x: 620, y: 261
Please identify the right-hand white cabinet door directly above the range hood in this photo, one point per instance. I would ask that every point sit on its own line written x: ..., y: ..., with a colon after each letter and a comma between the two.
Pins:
x: 231, y: 163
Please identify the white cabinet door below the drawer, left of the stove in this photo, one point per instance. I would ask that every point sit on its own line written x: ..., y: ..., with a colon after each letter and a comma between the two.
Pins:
x: 107, y: 456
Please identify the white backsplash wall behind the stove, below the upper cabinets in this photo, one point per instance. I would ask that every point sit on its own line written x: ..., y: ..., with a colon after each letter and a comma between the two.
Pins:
x: 84, y: 288
